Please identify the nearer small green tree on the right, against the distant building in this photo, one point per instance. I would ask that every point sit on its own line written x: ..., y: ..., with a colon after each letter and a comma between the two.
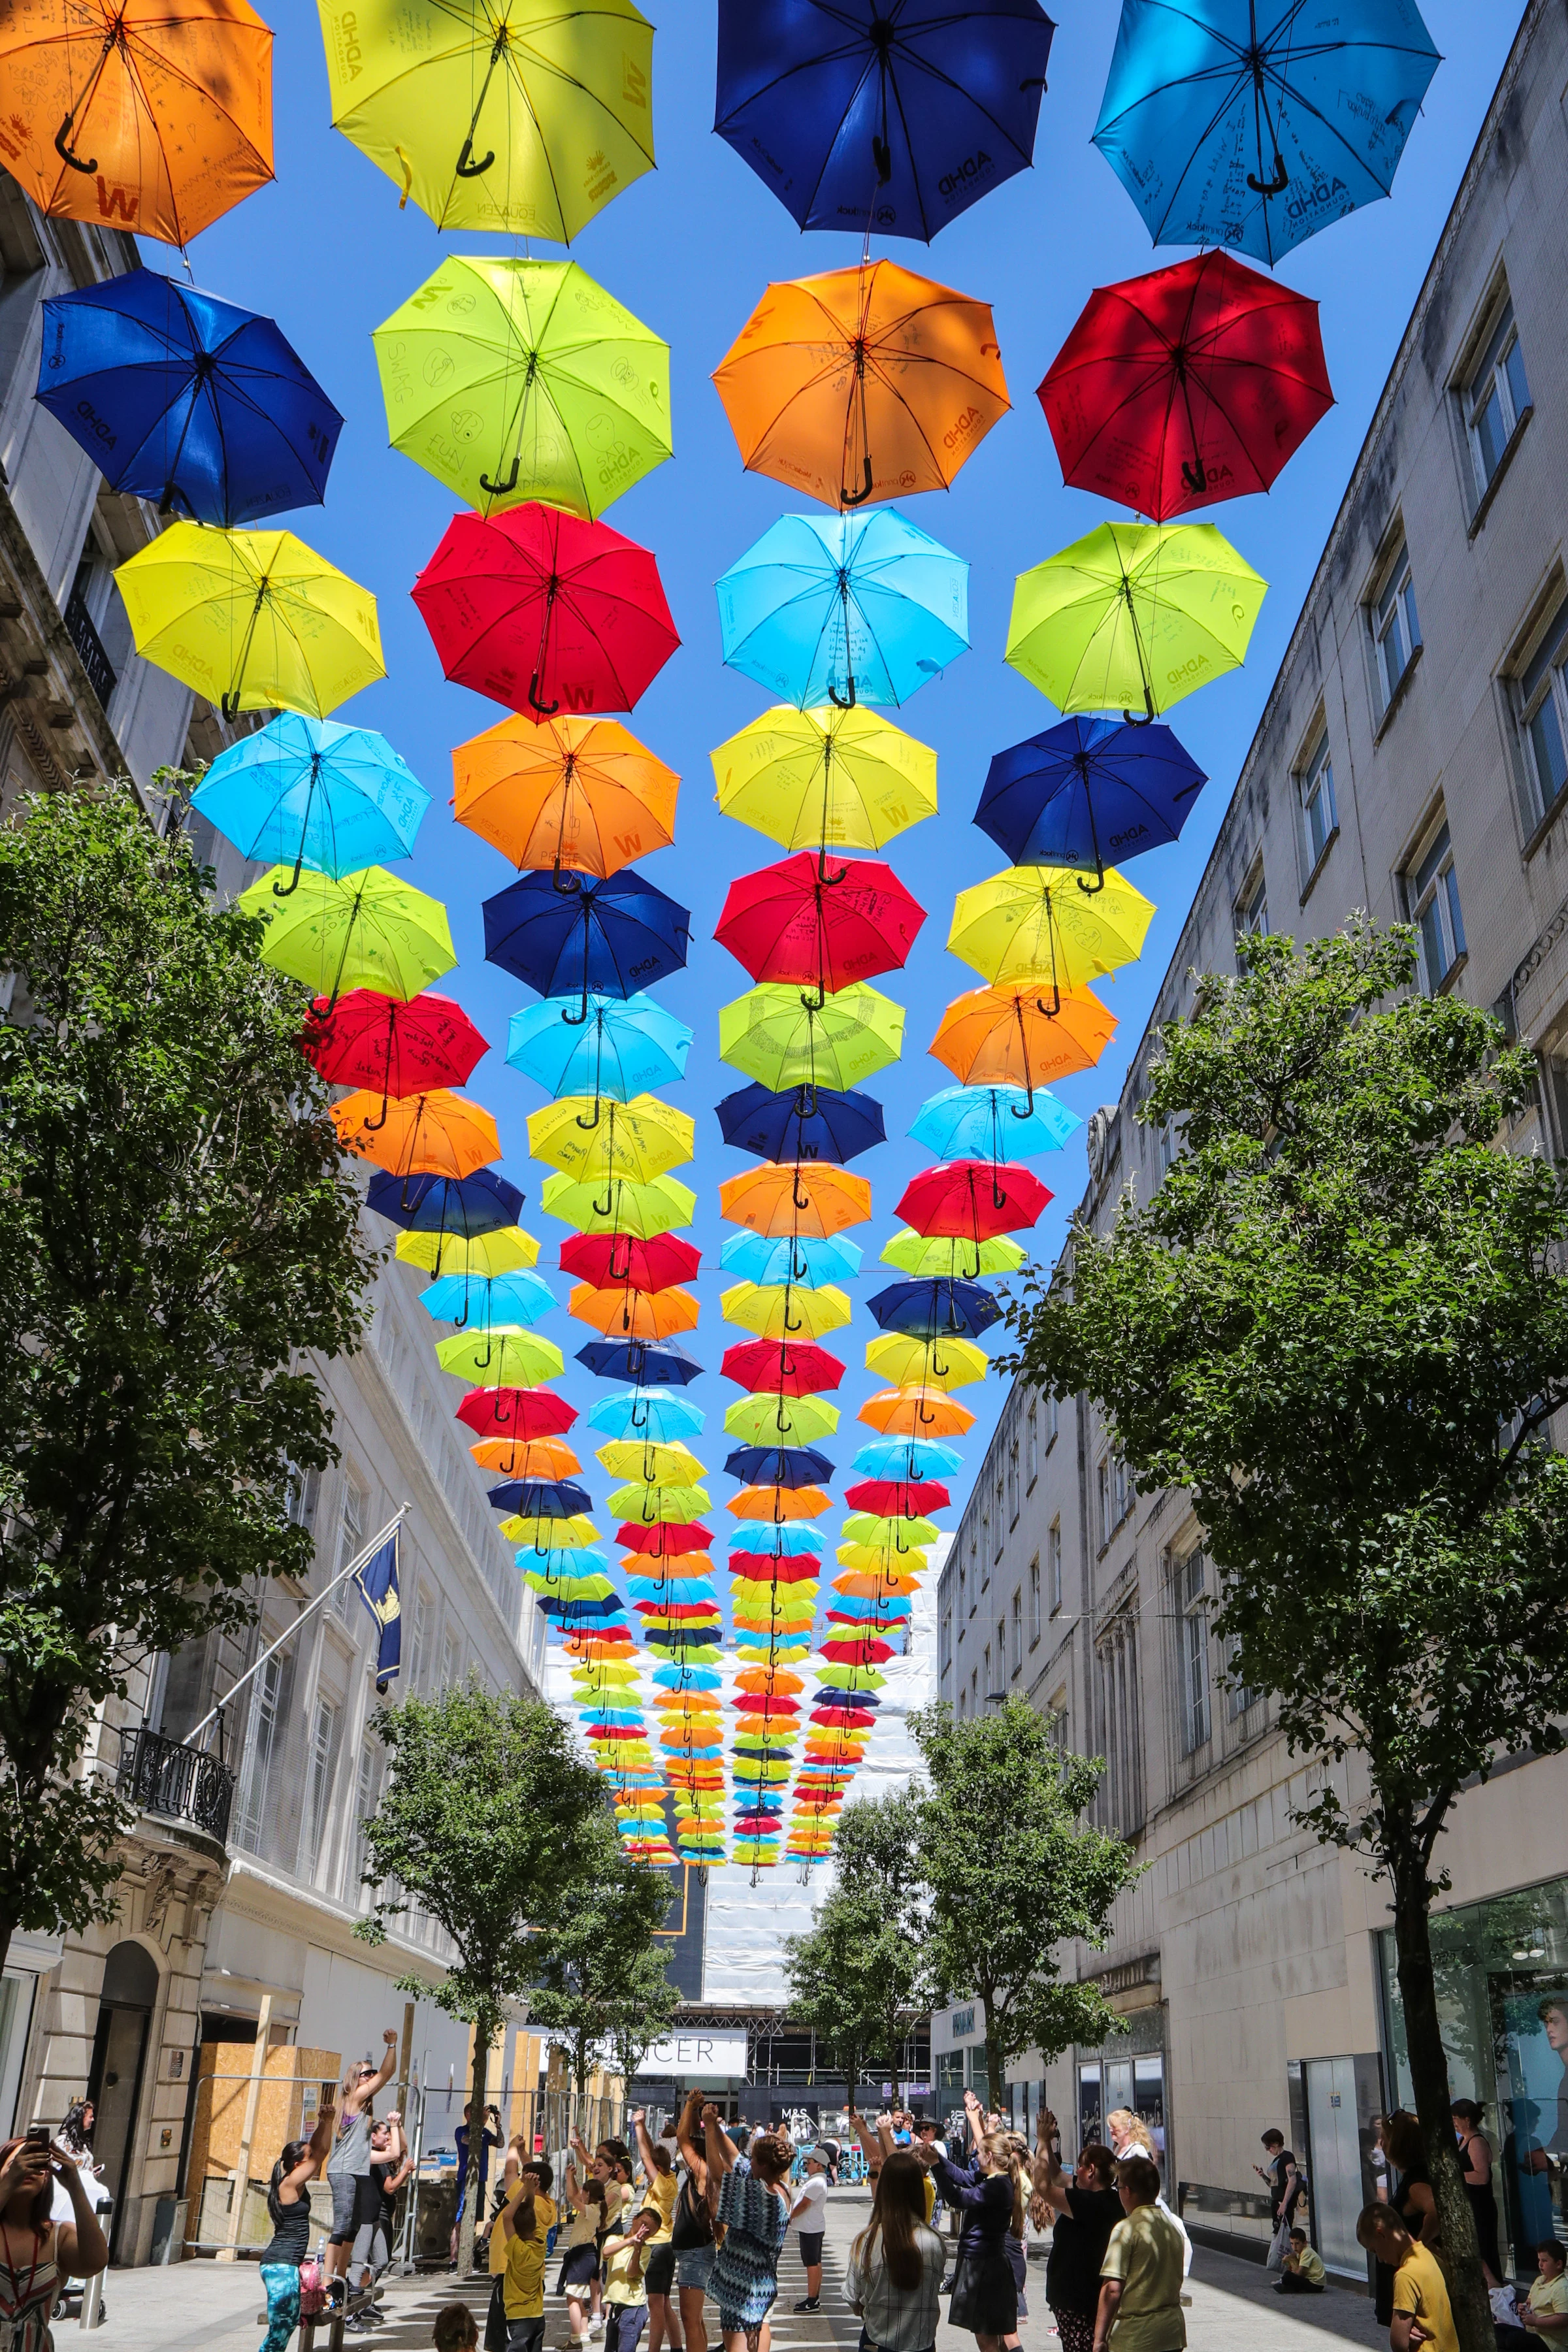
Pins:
x: 1014, y: 1873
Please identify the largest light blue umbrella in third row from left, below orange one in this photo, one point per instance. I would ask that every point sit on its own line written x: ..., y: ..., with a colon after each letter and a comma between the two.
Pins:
x: 845, y: 608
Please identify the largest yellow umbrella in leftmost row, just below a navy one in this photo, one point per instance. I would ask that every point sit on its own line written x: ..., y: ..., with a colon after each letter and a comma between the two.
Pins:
x: 250, y: 620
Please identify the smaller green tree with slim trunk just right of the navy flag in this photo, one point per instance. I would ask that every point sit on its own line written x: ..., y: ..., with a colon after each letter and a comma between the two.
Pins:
x: 490, y: 1824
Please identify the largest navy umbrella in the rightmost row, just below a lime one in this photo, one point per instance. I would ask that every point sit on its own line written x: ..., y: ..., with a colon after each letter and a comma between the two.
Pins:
x: 1090, y: 794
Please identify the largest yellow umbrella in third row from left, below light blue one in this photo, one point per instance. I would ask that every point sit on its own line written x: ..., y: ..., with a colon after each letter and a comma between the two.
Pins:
x: 826, y: 780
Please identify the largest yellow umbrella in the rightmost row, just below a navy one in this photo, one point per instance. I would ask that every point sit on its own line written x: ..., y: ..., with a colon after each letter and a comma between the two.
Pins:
x: 1036, y: 923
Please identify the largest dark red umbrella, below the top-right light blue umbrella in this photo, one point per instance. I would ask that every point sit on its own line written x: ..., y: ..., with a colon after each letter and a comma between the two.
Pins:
x: 1186, y: 387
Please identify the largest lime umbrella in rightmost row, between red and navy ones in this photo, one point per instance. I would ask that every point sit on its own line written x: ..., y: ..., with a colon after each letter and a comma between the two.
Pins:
x: 1134, y: 617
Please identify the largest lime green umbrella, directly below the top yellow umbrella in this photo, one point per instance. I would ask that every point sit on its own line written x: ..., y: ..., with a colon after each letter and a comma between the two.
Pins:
x: 523, y: 380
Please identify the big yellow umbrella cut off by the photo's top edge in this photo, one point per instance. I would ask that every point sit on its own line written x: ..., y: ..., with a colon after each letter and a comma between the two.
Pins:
x: 511, y: 116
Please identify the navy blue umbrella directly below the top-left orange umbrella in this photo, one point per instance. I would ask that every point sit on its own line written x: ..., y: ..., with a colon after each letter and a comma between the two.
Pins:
x: 187, y: 401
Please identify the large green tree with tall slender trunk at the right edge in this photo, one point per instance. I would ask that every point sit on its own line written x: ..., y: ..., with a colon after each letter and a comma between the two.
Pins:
x: 1343, y: 1328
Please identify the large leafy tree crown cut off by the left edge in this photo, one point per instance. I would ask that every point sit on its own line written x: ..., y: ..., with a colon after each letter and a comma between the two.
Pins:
x: 180, y: 1229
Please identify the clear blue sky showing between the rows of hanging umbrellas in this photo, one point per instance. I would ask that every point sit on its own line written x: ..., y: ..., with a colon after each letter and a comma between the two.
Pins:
x: 690, y: 250
